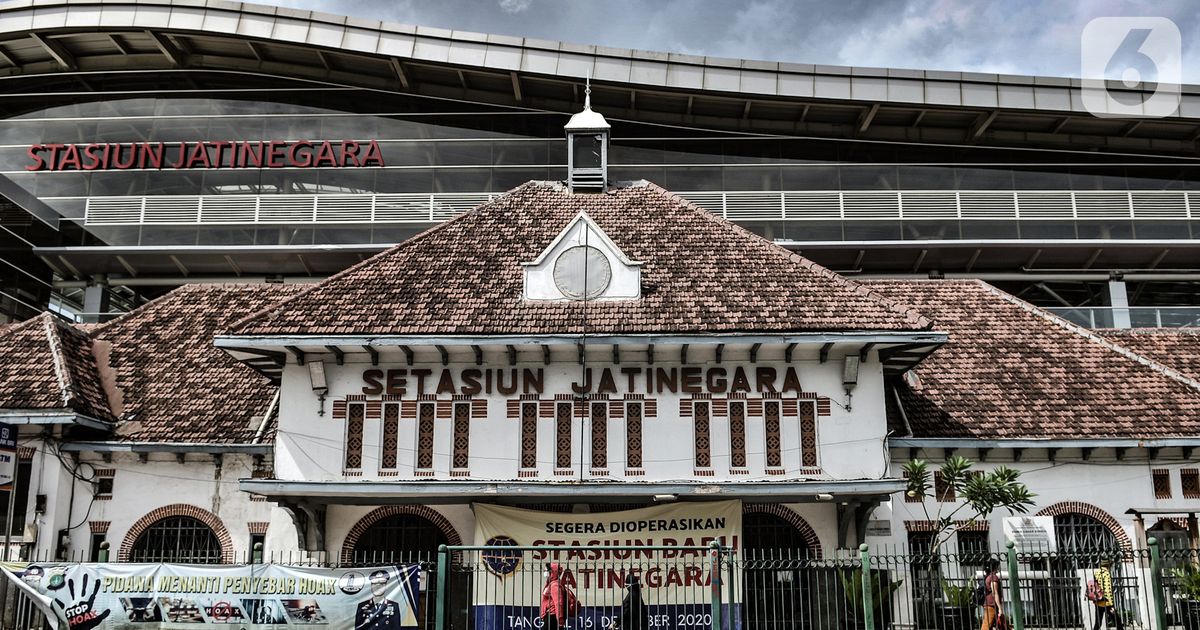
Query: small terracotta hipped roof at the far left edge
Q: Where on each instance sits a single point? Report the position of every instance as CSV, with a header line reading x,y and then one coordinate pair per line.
x,y
50,365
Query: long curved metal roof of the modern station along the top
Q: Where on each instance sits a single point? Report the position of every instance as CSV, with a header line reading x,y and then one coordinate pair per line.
x,y
52,39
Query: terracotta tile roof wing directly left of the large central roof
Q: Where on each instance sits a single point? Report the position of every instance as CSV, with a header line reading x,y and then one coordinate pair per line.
x,y
176,386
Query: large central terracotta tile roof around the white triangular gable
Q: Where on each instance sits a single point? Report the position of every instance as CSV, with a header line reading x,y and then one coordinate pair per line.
x,y
701,274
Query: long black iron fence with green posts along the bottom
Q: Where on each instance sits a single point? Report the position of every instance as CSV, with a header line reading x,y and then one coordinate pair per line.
x,y
716,589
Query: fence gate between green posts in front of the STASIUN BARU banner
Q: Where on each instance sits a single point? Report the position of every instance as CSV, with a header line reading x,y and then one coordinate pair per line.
x,y
503,587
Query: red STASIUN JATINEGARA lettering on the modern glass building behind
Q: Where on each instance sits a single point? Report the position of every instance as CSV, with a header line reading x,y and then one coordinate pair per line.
x,y
207,154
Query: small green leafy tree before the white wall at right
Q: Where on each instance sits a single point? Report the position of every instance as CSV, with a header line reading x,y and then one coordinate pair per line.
x,y
977,495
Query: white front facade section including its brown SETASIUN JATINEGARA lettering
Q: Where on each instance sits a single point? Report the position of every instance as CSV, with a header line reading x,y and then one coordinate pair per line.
x,y
313,447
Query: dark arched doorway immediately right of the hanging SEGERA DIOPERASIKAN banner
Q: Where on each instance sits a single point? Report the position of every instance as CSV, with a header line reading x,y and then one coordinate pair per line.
x,y
778,554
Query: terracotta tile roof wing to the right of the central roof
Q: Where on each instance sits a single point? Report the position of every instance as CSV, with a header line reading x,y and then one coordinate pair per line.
x,y
1015,371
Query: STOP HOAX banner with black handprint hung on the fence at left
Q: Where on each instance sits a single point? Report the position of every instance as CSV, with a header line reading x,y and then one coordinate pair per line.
x,y
152,597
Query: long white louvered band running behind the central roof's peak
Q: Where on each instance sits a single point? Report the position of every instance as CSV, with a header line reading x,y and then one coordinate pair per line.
x,y
739,206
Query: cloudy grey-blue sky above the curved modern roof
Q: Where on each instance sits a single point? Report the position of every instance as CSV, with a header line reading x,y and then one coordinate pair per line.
x,y
1015,37
